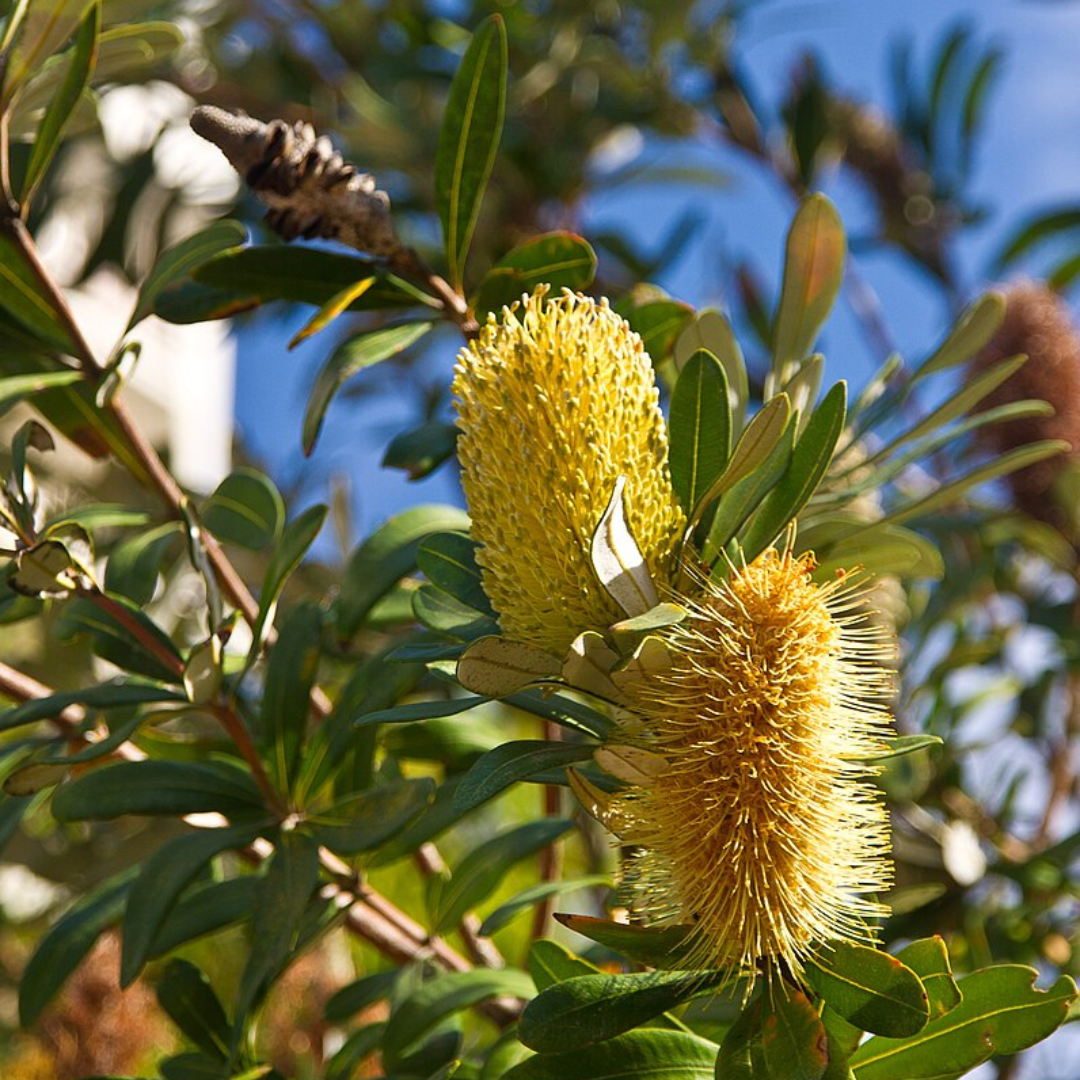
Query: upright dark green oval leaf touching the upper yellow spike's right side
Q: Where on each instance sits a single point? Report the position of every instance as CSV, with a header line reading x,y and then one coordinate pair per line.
x,y
700,429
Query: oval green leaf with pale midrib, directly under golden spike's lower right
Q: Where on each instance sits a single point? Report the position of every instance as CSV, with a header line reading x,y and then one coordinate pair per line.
x,y
870,989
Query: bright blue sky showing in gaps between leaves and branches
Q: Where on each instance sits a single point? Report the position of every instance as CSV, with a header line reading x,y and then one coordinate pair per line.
x,y
1029,159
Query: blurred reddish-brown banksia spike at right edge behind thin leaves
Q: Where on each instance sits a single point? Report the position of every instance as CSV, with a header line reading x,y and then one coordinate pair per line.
x,y
1037,323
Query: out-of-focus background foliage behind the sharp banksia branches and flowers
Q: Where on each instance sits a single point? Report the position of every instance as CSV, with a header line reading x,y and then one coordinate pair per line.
x,y
988,827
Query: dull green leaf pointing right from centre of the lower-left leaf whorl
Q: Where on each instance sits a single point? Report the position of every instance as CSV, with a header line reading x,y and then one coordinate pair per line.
x,y
366,821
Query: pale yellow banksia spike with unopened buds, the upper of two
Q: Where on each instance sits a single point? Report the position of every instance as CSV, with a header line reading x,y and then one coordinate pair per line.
x,y
556,401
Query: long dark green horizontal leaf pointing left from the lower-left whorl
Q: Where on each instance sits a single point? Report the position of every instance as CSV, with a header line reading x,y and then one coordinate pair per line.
x,y
157,789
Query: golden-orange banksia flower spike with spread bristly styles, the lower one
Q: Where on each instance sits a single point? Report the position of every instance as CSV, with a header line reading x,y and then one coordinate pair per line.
x,y
761,829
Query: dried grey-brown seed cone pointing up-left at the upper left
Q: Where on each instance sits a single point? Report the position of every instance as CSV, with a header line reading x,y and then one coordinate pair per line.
x,y
312,191
